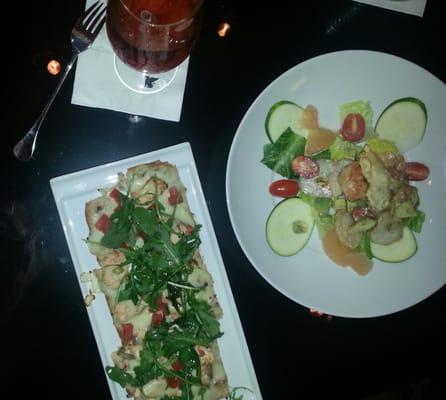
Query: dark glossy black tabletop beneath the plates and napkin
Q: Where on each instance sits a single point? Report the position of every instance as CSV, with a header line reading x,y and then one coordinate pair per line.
x,y
50,347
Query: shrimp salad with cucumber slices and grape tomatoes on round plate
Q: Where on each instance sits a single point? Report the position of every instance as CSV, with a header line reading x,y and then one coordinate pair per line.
x,y
353,183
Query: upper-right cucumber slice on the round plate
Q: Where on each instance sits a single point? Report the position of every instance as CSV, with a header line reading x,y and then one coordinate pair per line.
x,y
403,122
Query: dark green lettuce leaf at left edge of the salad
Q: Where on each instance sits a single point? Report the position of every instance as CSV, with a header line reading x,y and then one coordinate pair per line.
x,y
278,155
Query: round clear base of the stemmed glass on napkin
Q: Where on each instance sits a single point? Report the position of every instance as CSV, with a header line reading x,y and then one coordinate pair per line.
x,y
141,82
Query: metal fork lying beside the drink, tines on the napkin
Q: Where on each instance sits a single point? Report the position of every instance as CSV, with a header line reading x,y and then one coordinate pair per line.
x,y
83,35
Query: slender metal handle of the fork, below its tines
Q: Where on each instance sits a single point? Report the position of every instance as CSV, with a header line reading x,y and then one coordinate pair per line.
x,y
24,149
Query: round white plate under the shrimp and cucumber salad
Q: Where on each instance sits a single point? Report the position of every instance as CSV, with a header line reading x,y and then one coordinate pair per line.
x,y
310,278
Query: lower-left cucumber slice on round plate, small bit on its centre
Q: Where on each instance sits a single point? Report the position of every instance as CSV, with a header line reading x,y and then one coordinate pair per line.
x,y
289,226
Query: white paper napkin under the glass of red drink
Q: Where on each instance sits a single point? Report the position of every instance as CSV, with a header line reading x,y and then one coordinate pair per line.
x,y
97,85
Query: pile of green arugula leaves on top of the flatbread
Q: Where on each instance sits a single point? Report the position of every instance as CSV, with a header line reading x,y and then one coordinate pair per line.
x,y
157,265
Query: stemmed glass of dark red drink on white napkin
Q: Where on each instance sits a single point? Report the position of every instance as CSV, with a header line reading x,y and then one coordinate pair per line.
x,y
151,38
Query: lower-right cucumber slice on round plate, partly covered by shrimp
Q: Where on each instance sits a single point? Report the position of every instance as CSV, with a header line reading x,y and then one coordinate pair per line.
x,y
398,251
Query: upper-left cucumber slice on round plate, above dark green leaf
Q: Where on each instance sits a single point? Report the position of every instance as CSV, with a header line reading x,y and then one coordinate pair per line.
x,y
282,115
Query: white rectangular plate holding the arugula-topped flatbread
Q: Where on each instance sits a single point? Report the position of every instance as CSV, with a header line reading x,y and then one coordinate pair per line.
x,y
72,191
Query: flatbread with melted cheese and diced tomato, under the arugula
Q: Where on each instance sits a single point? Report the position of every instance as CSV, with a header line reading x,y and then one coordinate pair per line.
x,y
154,186
